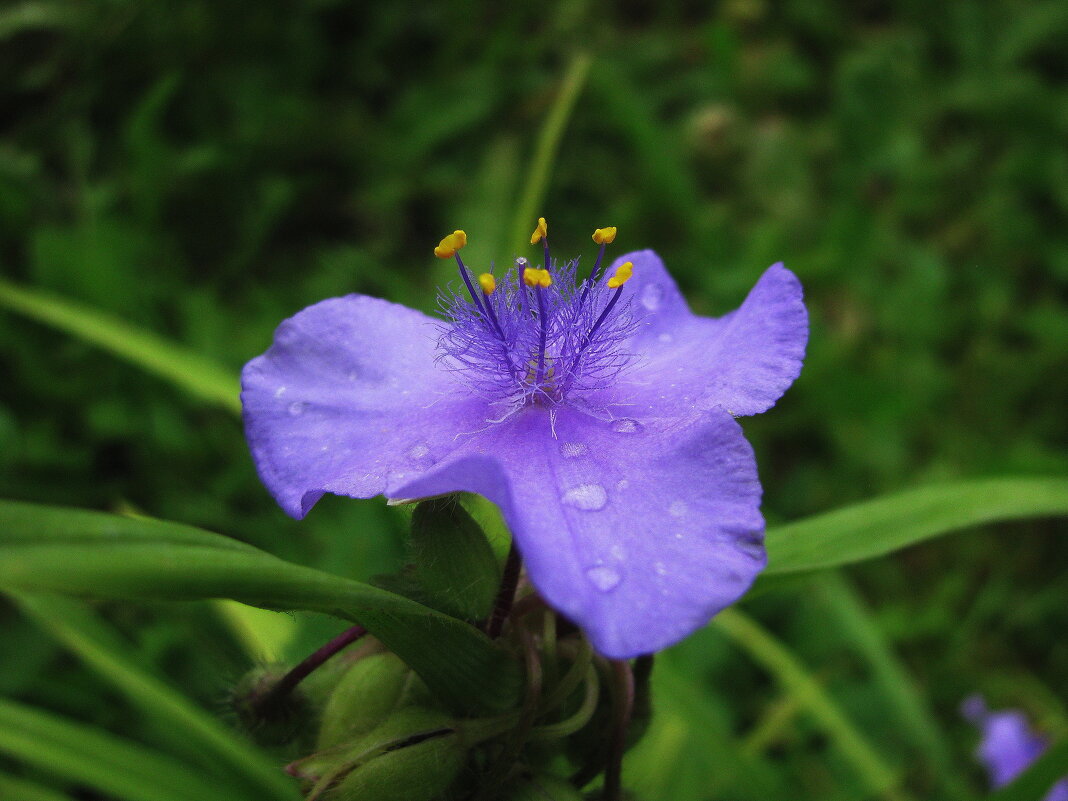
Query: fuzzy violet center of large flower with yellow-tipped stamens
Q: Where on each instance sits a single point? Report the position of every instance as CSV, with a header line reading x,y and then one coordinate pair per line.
x,y
537,335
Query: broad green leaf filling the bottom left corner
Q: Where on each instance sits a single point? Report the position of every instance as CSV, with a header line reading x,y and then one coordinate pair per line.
x,y
85,755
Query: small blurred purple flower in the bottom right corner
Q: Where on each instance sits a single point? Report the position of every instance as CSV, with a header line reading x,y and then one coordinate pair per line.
x,y
1009,746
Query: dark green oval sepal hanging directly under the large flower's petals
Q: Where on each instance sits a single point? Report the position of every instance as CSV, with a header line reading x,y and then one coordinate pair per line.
x,y
454,564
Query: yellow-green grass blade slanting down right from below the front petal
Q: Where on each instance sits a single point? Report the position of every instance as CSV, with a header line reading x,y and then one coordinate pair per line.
x,y
795,680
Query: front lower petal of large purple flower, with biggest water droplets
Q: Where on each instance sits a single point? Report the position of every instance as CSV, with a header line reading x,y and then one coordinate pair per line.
x,y
638,532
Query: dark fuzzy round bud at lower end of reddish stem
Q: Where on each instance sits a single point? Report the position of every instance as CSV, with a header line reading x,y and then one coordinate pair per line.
x,y
269,719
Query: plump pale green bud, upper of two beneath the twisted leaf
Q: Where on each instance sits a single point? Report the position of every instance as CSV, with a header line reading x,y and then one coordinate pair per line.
x,y
368,692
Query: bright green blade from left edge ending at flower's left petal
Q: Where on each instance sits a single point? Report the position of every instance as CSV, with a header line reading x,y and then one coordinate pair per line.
x,y
197,374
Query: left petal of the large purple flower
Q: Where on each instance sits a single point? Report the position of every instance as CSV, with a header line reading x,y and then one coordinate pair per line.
x,y
348,399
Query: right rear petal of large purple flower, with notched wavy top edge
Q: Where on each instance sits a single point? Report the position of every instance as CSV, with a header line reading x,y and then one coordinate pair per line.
x,y
742,363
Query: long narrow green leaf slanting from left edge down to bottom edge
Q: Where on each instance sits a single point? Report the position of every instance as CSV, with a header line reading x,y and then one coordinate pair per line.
x,y
181,721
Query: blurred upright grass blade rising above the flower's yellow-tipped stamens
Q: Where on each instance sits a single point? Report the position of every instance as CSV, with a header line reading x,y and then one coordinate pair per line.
x,y
545,151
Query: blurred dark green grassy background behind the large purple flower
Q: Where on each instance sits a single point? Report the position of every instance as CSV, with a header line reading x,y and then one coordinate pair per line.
x,y
206,169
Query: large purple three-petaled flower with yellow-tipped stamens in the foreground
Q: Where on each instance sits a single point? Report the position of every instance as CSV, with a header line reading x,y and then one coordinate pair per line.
x,y
595,411
